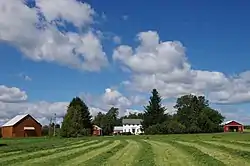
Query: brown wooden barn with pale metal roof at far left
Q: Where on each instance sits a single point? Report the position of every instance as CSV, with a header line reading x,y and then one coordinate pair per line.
x,y
22,126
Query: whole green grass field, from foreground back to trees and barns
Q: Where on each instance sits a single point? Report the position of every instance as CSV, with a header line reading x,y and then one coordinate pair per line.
x,y
183,150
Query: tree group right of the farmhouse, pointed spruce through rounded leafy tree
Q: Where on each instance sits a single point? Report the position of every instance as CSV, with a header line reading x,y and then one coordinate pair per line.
x,y
194,115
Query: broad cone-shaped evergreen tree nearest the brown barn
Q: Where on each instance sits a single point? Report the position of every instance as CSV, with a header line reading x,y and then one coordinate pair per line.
x,y
77,121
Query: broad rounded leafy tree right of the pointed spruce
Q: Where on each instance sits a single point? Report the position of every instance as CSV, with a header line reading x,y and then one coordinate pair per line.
x,y
195,114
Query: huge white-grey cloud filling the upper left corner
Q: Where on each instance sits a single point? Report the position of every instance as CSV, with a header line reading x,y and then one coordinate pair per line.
x,y
39,32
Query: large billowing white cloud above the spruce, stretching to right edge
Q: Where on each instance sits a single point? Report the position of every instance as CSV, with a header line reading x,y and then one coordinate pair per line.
x,y
164,65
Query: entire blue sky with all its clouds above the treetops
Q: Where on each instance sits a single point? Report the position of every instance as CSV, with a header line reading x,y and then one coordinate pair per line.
x,y
113,53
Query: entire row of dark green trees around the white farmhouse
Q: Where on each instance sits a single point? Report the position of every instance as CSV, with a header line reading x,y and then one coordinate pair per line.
x,y
193,115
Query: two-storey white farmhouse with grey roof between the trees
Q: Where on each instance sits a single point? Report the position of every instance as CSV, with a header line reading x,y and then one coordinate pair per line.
x,y
132,125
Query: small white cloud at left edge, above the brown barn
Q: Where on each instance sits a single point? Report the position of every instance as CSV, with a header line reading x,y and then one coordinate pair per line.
x,y
12,94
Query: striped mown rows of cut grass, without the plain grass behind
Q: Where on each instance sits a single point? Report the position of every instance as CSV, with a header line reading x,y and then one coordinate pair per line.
x,y
135,152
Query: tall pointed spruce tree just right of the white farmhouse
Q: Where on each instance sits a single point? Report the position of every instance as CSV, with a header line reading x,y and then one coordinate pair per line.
x,y
154,111
